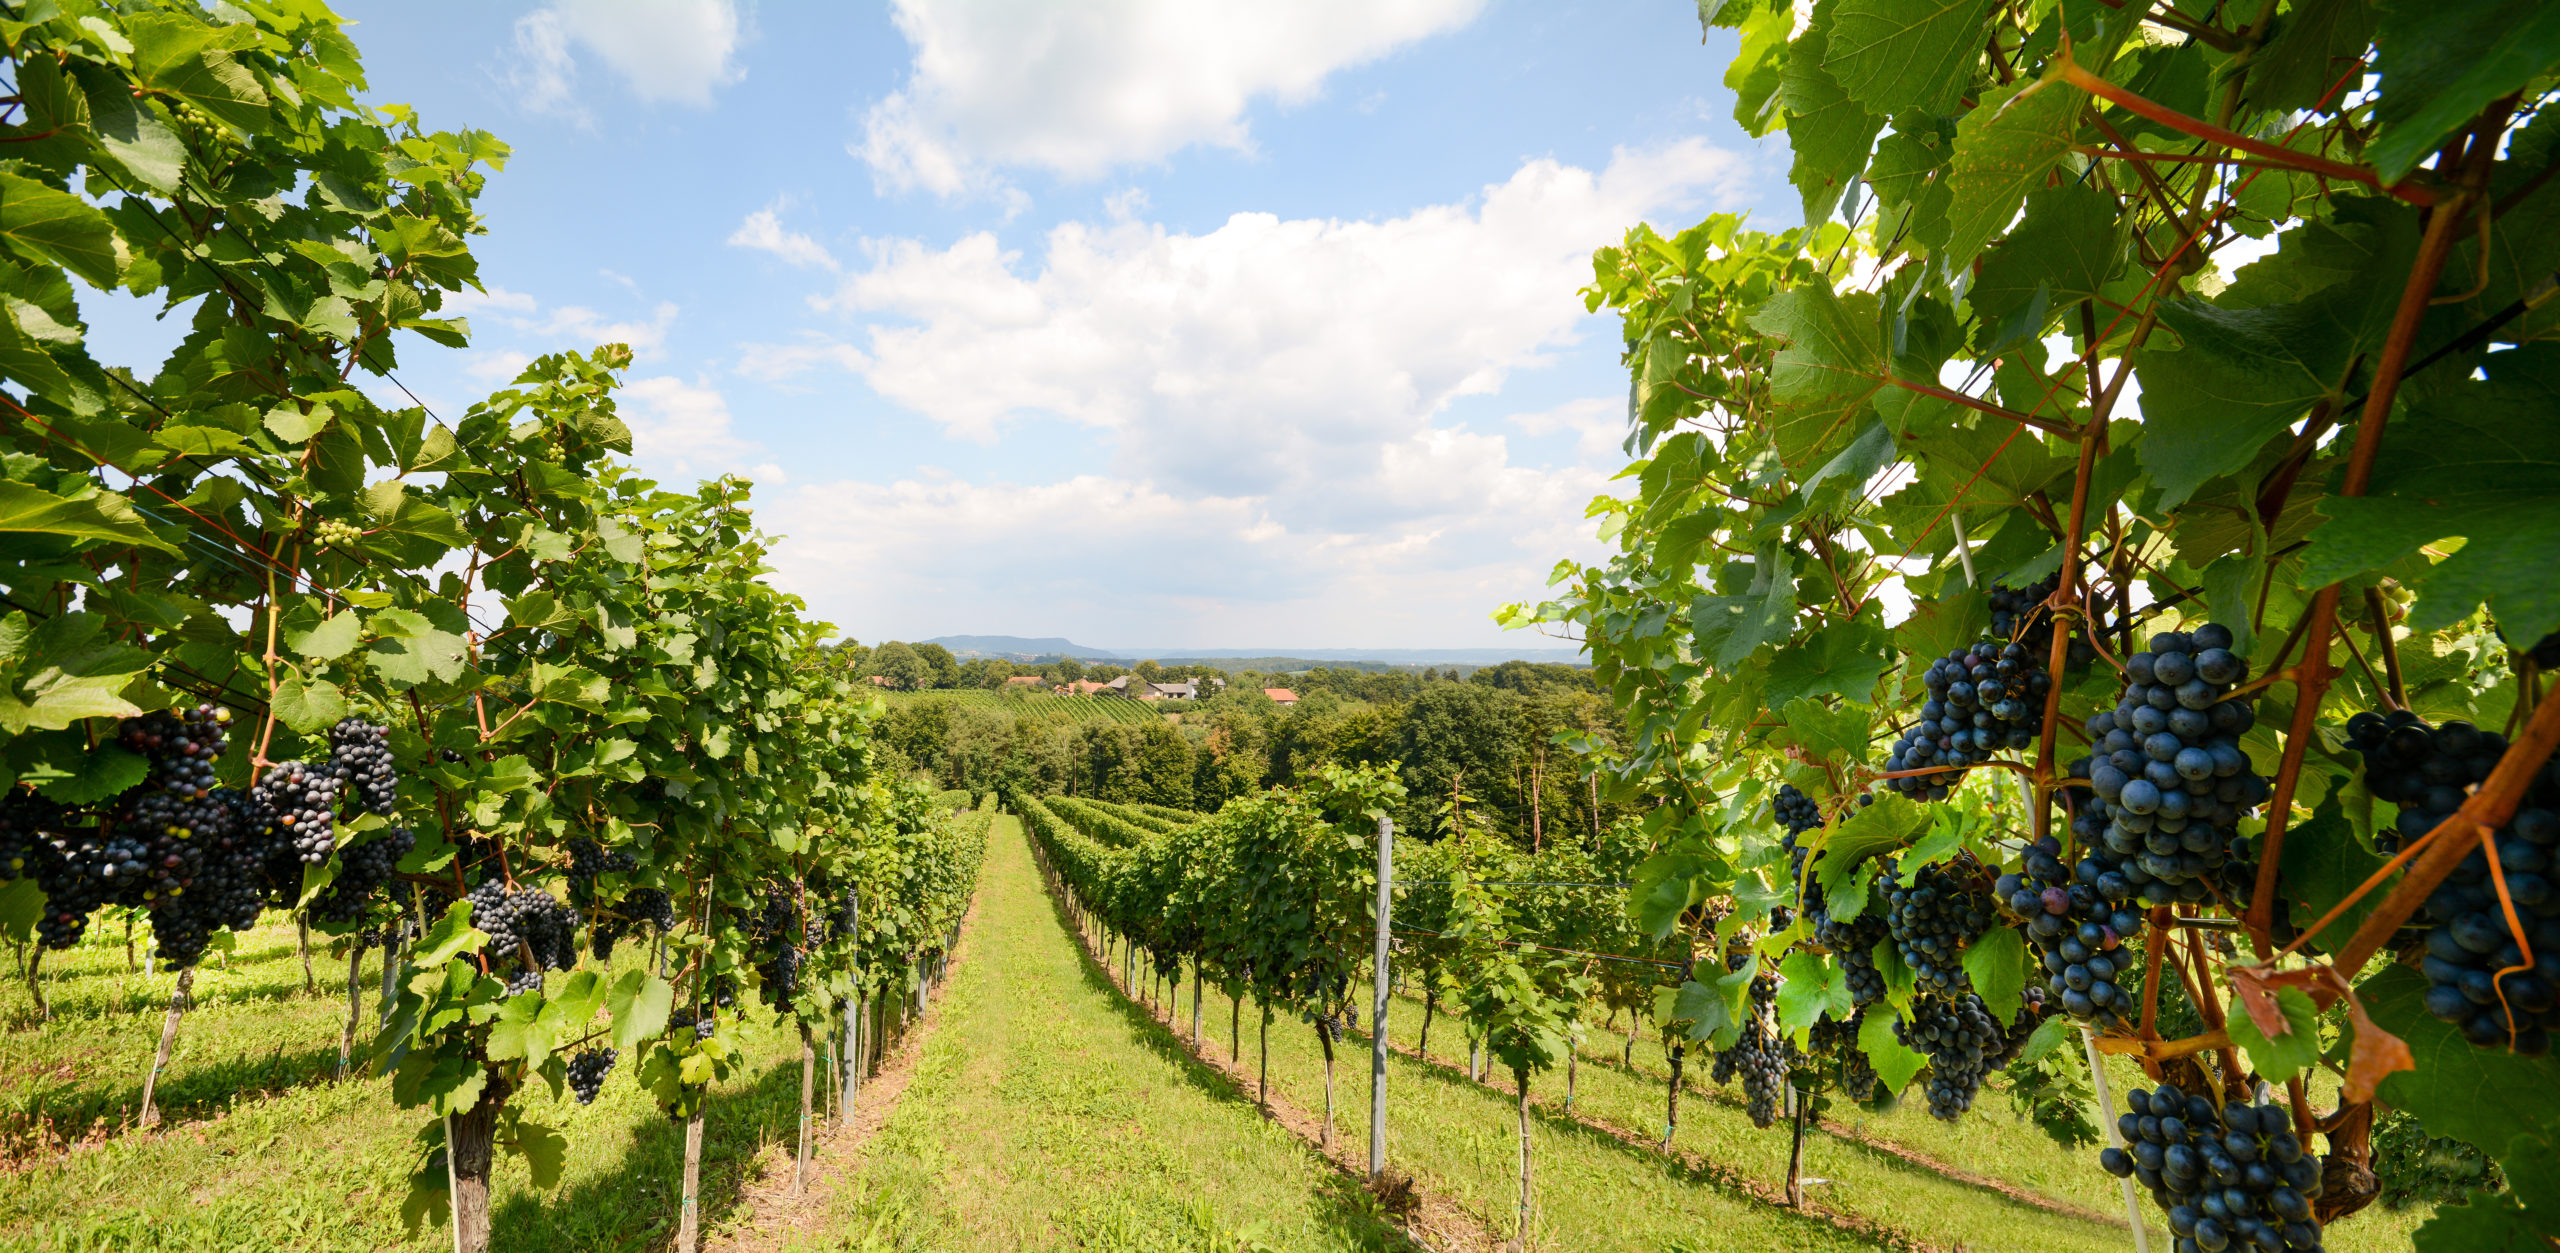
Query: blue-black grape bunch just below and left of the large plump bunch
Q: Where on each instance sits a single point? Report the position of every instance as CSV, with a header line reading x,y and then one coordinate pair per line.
x,y
2077,926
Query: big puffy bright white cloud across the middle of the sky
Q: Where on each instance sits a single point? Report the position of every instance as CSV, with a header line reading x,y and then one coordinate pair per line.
x,y
1266,352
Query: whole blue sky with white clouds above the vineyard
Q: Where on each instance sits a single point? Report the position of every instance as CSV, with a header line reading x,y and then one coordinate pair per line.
x,y
1135,322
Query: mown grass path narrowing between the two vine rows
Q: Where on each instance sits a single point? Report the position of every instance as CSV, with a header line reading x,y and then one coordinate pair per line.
x,y
1048,1113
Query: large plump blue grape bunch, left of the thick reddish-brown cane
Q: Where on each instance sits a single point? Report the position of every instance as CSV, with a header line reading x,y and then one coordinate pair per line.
x,y
2170,775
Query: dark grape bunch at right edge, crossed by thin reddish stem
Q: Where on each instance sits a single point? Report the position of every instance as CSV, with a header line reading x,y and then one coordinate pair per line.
x,y
2477,972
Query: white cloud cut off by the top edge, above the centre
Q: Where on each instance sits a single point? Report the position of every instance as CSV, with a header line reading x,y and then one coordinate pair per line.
x,y
1092,86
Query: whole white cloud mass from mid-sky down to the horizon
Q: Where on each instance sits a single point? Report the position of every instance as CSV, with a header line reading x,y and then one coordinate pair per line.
x,y
1279,409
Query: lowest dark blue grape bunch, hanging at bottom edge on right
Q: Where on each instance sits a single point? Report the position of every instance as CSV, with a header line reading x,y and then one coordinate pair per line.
x,y
2231,1177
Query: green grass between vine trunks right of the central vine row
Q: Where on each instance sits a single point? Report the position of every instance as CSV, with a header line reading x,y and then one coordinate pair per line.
x,y
1460,1139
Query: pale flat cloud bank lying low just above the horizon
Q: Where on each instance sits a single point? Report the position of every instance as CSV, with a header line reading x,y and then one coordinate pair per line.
x,y
1092,555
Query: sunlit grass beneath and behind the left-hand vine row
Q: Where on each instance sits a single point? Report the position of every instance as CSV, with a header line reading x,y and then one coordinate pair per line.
x,y
262,1152
